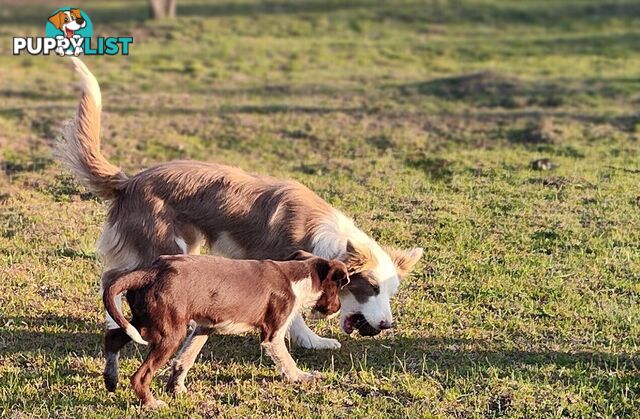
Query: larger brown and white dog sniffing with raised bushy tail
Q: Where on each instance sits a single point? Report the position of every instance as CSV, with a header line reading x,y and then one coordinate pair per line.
x,y
178,206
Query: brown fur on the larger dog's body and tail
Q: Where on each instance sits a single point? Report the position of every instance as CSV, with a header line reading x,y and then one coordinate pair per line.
x,y
237,214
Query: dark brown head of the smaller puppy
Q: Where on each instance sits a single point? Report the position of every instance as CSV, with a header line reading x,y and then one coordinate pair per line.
x,y
331,277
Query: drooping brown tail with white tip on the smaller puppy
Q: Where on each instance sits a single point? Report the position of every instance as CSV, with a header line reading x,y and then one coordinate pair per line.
x,y
118,282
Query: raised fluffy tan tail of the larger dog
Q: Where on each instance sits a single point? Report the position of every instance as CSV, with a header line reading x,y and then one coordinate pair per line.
x,y
79,146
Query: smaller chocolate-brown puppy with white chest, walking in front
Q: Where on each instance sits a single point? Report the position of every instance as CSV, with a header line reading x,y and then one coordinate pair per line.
x,y
231,296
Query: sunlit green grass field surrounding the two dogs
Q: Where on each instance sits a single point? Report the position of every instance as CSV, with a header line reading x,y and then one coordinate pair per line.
x,y
418,118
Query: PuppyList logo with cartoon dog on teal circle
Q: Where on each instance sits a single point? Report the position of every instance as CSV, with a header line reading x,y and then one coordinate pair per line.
x,y
69,31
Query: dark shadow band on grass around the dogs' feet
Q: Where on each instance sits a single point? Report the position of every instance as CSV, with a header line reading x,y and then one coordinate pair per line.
x,y
417,356
